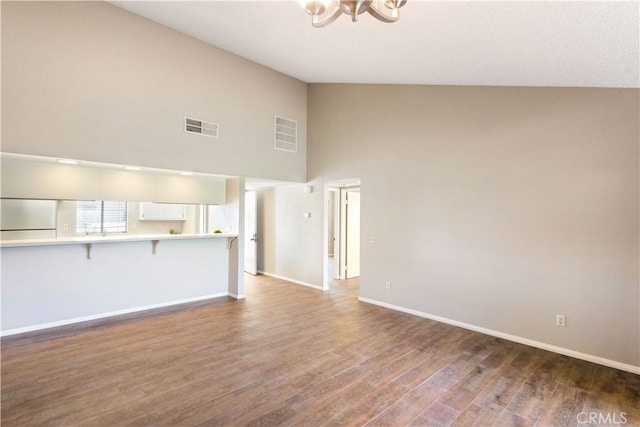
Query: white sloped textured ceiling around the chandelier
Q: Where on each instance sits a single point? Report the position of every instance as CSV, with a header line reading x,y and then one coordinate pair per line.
x,y
498,43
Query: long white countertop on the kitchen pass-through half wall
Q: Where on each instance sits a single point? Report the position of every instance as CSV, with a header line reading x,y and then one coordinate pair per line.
x,y
112,238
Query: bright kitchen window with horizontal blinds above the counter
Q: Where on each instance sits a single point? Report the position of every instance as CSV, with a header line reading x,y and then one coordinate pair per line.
x,y
99,216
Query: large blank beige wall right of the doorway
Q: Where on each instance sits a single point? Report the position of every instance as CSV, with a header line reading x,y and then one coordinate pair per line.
x,y
495,207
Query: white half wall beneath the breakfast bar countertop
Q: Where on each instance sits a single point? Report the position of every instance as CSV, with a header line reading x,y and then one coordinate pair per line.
x,y
53,282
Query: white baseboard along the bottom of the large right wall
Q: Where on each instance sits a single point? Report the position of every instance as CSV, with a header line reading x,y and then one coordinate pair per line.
x,y
544,346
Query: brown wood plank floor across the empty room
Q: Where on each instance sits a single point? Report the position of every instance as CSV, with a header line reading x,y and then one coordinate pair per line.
x,y
290,355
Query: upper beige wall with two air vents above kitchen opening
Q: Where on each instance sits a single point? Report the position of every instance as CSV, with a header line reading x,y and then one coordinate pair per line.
x,y
91,81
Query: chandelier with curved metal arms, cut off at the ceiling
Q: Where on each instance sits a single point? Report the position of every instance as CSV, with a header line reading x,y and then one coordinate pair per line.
x,y
324,12
